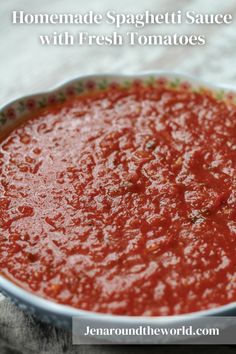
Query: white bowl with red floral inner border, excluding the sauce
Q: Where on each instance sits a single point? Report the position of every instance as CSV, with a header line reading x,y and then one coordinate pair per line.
x,y
14,112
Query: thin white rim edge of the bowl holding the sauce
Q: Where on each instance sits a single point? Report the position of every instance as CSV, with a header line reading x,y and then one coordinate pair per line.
x,y
49,306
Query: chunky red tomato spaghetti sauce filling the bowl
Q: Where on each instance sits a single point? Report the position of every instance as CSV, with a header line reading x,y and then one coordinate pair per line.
x,y
123,202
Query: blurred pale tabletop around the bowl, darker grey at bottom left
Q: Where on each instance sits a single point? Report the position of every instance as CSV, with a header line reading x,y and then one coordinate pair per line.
x,y
27,67
